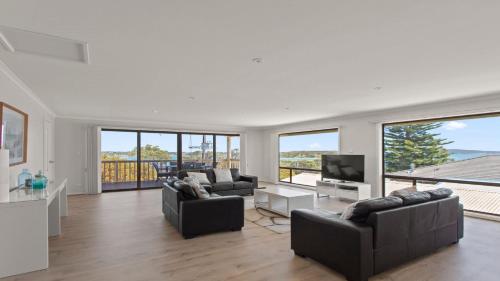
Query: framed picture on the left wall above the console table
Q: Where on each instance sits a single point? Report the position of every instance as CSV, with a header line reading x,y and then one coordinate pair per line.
x,y
14,133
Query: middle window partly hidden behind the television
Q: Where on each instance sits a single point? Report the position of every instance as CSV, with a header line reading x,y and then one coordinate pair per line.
x,y
300,155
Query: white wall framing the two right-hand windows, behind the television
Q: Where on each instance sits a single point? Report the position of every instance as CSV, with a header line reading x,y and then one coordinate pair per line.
x,y
361,134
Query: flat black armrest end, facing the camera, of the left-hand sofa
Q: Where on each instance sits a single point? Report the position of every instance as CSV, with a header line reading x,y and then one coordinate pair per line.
x,y
211,215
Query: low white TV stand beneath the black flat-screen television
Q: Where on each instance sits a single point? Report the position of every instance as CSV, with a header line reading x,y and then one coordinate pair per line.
x,y
352,191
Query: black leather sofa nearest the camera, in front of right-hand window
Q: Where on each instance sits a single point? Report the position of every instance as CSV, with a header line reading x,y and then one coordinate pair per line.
x,y
386,239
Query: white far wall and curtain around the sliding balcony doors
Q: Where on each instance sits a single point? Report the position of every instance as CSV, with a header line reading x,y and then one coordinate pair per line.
x,y
74,145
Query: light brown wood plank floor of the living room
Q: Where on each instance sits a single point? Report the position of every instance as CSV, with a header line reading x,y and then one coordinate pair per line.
x,y
123,236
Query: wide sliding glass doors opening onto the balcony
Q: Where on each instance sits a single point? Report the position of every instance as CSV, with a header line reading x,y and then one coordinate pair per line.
x,y
124,167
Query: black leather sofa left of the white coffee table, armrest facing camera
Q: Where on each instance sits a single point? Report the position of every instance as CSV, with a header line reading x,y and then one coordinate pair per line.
x,y
192,217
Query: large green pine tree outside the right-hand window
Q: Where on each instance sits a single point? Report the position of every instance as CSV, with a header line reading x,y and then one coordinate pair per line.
x,y
415,144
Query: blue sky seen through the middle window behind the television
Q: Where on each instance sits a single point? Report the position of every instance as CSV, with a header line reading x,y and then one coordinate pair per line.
x,y
323,141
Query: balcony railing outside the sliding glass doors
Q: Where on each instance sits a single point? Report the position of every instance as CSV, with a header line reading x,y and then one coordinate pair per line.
x,y
125,171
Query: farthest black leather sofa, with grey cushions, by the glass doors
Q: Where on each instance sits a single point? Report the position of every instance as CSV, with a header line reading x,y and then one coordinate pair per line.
x,y
241,185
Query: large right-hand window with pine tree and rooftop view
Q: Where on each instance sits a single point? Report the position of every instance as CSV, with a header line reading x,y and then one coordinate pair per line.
x,y
461,153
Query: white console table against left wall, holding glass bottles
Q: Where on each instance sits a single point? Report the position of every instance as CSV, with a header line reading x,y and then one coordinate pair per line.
x,y
26,222
